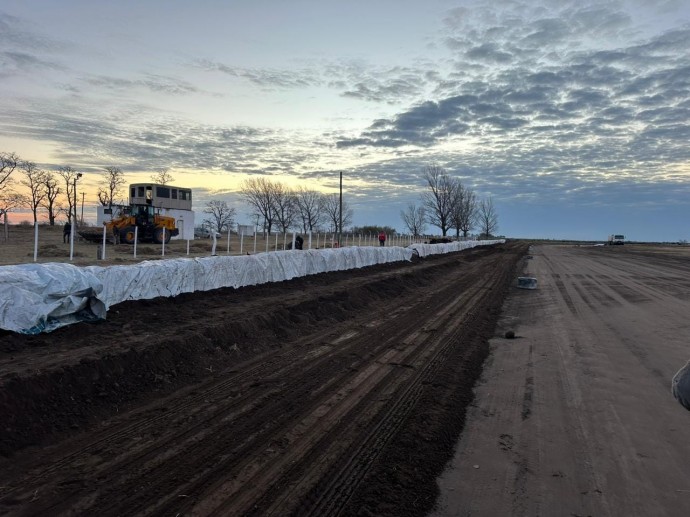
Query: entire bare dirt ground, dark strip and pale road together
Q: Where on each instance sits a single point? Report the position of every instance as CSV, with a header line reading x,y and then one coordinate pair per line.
x,y
353,393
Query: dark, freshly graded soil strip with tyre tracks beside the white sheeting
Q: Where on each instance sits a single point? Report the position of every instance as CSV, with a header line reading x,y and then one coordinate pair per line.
x,y
334,394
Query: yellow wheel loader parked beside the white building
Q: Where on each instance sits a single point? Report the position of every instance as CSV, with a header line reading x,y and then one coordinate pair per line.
x,y
150,226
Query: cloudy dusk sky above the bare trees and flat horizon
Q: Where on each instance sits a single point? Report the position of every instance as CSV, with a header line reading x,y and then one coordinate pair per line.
x,y
573,117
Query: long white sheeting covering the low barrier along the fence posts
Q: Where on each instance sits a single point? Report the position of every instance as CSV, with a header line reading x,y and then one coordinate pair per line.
x,y
42,297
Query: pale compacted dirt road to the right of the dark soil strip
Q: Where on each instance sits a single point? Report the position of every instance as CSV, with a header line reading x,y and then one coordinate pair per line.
x,y
575,417
